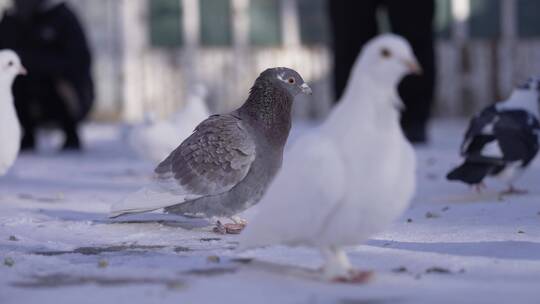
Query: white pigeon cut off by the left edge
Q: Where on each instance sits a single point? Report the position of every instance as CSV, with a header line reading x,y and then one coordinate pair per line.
x,y
10,129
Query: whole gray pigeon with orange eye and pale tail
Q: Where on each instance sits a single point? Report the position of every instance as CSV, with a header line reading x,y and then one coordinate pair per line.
x,y
225,166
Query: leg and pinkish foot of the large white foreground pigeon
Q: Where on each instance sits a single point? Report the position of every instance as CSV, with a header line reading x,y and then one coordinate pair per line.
x,y
338,268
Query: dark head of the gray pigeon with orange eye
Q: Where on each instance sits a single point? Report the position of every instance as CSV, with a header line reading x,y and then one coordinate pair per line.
x,y
287,79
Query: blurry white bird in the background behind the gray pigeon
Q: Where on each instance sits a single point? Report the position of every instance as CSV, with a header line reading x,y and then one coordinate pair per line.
x,y
155,139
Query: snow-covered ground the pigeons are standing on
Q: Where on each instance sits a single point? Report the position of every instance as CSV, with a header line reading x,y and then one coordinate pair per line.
x,y
57,245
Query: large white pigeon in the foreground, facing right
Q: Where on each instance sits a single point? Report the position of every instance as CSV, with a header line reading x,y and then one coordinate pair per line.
x,y
352,176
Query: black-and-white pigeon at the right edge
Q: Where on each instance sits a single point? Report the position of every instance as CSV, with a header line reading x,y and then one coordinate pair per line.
x,y
503,139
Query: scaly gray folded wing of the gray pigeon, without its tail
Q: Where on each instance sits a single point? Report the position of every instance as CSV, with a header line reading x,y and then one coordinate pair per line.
x,y
213,159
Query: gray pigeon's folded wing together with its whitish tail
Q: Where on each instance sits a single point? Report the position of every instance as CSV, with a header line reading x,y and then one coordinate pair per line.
x,y
211,161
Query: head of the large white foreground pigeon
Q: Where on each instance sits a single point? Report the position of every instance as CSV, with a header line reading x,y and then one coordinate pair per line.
x,y
387,59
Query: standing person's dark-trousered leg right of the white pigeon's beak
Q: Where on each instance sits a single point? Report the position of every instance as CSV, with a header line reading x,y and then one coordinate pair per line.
x,y
415,23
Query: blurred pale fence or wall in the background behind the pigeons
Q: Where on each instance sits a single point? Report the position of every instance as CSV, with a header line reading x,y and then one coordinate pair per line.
x,y
149,54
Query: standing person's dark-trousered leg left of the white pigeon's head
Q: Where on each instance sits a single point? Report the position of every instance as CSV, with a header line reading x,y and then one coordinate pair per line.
x,y
353,23
